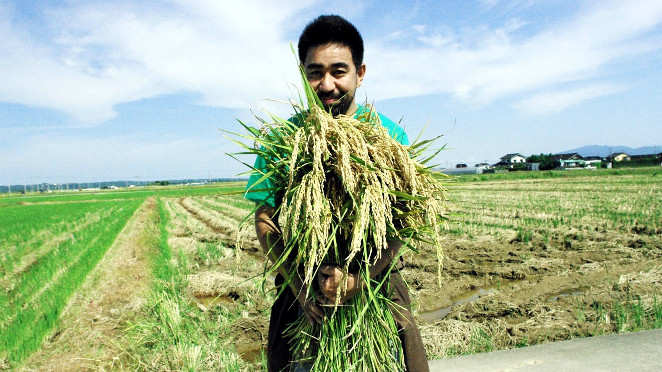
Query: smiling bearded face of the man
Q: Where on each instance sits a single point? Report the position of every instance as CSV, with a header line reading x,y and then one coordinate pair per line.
x,y
331,72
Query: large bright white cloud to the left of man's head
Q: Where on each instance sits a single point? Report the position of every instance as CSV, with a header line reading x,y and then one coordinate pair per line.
x,y
104,54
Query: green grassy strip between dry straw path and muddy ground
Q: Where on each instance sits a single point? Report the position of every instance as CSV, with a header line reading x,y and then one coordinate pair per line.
x,y
173,333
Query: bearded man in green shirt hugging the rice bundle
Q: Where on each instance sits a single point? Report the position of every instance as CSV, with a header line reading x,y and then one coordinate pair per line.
x,y
331,52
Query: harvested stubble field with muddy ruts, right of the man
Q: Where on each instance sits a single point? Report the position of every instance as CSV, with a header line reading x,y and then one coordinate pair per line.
x,y
532,261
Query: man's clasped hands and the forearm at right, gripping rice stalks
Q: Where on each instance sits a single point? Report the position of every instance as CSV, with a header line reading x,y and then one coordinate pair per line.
x,y
330,278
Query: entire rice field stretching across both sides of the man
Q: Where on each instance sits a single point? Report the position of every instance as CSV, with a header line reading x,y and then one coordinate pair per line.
x,y
167,278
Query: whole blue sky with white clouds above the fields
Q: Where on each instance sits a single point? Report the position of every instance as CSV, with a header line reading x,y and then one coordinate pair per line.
x,y
124,90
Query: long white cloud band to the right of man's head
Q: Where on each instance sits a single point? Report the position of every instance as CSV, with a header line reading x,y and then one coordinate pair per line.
x,y
483,65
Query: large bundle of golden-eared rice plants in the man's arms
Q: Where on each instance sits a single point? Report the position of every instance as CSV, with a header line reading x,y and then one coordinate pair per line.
x,y
347,188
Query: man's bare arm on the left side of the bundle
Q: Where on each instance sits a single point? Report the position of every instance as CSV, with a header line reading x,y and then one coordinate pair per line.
x,y
268,233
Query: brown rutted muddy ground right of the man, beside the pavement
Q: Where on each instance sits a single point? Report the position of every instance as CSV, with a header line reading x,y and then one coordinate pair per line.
x,y
502,294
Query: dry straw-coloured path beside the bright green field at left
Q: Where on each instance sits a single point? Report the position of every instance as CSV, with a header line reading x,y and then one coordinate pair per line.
x,y
89,335
